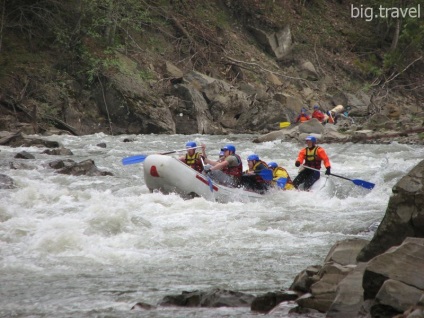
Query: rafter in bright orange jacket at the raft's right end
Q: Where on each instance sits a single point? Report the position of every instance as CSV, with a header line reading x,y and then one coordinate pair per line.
x,y
311,156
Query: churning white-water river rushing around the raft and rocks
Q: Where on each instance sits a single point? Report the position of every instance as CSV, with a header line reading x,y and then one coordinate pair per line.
x,y
94,246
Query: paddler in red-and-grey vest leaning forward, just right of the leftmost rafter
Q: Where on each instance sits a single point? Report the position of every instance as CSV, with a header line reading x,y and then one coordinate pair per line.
x,y
228,170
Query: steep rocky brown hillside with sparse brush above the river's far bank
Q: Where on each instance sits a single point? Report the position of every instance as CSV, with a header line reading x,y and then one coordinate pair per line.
x,y
115,66
